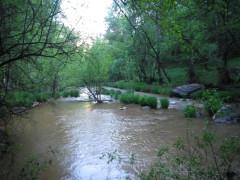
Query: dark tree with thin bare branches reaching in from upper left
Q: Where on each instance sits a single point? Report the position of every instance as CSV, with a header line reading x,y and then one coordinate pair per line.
x,y
31,29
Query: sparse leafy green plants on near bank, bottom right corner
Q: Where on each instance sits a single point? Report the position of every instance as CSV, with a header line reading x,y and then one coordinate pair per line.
x,y
200,159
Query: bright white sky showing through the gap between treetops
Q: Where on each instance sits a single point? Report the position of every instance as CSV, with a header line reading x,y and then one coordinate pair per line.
x,y
86,16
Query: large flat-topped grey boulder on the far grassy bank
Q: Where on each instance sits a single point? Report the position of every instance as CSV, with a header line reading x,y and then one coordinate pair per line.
x,y
186,90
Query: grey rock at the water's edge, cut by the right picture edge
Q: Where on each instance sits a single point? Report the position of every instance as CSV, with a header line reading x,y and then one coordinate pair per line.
x,y
227,114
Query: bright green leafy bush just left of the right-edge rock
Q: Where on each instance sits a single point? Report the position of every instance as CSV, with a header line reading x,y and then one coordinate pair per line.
x,y
212,101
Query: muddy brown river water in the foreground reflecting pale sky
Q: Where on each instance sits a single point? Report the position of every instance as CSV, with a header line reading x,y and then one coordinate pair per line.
x,y
99,141
